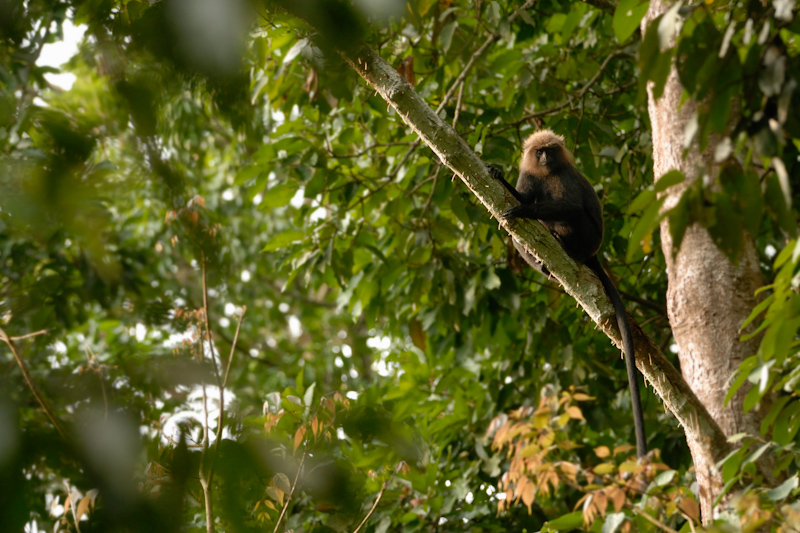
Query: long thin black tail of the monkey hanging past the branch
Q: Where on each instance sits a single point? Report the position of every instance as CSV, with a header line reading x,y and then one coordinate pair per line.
x,y
627,345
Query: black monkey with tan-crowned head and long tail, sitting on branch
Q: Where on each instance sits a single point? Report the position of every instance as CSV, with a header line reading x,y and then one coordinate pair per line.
x,y
551,190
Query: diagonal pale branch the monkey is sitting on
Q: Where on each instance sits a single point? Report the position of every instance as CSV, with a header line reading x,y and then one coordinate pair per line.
x,y
576,279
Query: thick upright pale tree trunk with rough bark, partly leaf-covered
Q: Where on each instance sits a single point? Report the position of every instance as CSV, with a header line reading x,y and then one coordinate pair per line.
x,y
708,297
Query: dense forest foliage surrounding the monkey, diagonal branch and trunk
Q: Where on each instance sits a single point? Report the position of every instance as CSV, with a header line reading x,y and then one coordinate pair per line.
x,y
395,363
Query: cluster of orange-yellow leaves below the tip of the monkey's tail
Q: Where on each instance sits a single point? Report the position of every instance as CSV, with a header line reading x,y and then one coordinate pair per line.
x,y
548,467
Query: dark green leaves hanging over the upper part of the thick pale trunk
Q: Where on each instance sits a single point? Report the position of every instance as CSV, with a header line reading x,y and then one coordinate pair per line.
x,y
740,63
